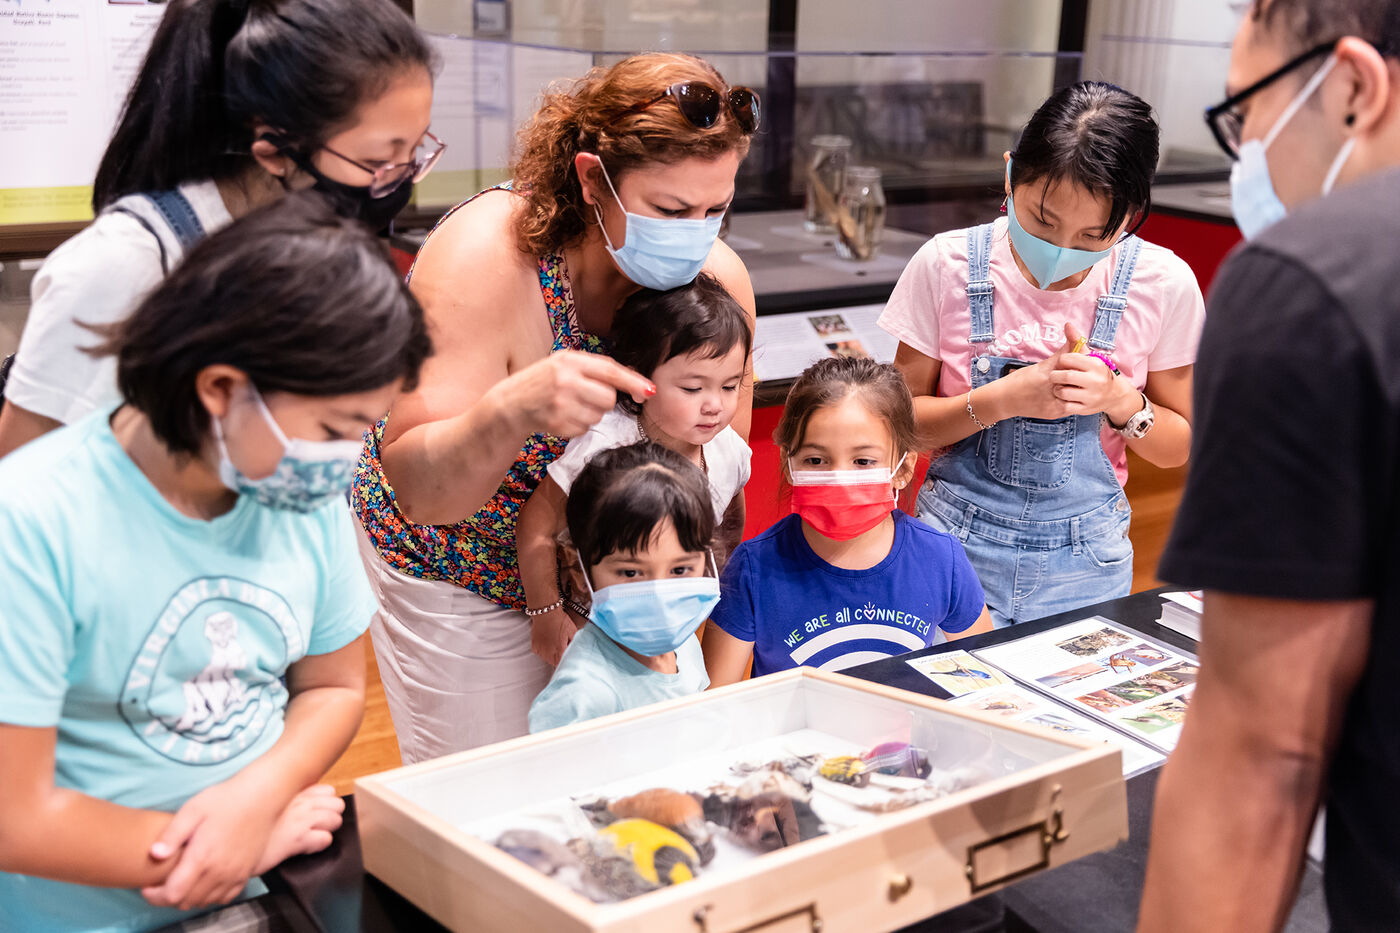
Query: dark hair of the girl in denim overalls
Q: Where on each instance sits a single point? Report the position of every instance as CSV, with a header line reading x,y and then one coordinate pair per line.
x,y
1098,137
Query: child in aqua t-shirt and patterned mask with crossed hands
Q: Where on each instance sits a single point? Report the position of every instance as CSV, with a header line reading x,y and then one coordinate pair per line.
x,y
183,611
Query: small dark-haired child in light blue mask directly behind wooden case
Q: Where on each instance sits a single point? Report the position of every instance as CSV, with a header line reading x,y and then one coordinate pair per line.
x,y
642,527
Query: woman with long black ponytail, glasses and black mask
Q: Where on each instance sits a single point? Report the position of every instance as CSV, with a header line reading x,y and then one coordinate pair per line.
x,y
237,103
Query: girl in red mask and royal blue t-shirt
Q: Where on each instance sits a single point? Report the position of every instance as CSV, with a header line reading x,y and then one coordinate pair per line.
x,y
848,578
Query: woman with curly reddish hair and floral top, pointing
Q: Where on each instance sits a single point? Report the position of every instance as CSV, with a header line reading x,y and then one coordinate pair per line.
x,y
621,183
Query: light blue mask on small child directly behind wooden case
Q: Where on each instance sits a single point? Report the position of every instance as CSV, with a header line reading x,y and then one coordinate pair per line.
x,y
653,617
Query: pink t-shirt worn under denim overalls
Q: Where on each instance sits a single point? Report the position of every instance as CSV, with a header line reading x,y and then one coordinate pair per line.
x,y
929,312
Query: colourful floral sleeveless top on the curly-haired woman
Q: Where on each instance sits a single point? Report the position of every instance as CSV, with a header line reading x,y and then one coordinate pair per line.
x,y
478,554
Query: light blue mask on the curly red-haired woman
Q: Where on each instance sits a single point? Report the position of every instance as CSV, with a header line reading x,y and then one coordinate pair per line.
x,y
657,253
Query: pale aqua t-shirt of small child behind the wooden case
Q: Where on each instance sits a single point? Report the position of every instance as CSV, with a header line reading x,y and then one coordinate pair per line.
x,y
596,677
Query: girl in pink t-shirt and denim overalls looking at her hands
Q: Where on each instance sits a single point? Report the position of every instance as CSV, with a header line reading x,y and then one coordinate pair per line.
x,y
1041,348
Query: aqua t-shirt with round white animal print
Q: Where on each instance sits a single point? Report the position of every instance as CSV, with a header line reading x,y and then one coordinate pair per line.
x,y
155,642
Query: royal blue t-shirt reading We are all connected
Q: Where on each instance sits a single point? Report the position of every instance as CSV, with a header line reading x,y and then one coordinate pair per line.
x,y
799,610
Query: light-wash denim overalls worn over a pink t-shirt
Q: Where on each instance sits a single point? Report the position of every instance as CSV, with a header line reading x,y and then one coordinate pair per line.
x,y
1035,504
